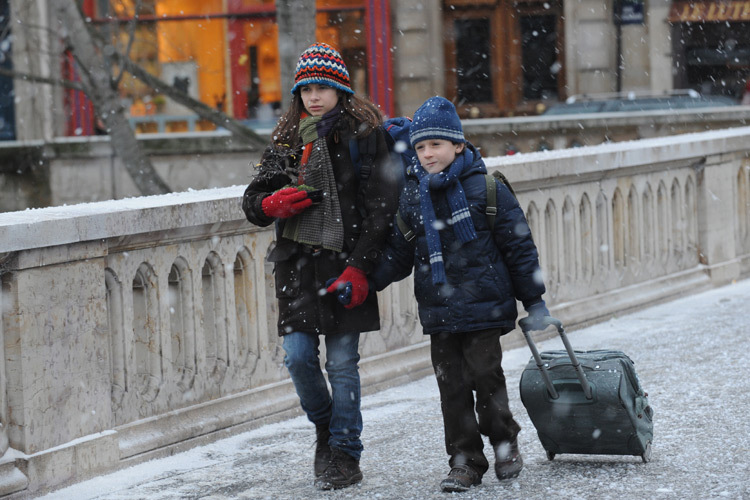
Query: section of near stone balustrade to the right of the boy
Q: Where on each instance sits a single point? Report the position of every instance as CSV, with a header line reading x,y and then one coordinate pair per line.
x,y
641,216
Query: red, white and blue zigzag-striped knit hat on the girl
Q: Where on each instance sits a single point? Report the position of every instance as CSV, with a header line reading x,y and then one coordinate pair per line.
x,y
322,64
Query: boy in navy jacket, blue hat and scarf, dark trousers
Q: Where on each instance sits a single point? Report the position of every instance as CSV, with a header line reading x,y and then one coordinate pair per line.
x,y
467,277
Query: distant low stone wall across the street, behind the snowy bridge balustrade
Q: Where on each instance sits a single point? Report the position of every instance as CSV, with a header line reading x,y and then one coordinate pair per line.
x,y
74,170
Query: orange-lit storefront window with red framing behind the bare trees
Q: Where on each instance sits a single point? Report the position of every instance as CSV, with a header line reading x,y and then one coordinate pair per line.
x,y
221,52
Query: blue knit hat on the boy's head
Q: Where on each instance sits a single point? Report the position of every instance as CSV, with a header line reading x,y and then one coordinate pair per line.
x,y
436,119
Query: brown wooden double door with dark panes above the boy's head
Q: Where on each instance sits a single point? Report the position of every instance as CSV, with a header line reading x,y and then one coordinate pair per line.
x,y
502,57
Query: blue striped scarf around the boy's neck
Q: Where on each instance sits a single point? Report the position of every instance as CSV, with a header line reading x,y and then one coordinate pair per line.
x,y
463,227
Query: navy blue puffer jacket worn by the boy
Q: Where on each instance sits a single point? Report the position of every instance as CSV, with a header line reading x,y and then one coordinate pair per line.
x,y
484,276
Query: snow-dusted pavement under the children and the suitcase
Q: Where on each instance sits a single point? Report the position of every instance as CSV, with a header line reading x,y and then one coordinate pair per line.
x,y
690,357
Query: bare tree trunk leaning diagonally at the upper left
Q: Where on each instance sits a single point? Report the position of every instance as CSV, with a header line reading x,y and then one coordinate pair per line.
x,y
97,77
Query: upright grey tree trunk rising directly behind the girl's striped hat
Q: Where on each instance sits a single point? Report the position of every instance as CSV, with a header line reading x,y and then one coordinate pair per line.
x,y
296,20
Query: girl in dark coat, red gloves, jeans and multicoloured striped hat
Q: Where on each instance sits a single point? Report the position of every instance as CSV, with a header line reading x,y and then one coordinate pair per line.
x,y
331,226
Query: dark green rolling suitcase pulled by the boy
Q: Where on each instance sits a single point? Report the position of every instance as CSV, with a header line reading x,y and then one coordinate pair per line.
x,y
586,402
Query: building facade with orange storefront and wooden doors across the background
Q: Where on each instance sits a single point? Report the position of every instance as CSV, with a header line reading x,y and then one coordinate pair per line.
x,y
491,57
